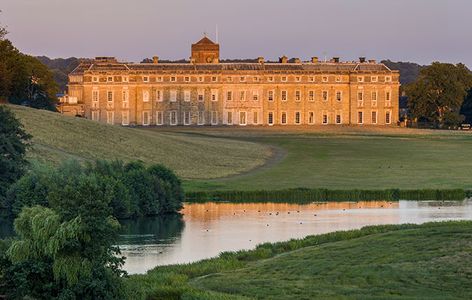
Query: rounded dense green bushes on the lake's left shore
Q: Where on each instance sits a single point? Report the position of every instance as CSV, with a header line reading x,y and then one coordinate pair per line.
x,y
132,189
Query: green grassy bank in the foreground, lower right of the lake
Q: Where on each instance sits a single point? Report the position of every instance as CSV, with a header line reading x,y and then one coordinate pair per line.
x,y
429,261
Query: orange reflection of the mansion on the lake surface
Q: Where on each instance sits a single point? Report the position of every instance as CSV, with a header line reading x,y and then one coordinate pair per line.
x,y
213,211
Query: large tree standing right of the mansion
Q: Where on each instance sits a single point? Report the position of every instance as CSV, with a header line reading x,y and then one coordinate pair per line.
x,y
438,93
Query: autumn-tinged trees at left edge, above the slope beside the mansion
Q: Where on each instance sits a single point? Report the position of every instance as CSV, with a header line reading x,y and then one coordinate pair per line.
x,y
24,79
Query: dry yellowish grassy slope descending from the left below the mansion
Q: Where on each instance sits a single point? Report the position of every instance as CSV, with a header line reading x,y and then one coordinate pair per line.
x,y
56,138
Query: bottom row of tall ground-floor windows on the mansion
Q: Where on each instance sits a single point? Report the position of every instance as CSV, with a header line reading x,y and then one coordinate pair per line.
x,y
238,119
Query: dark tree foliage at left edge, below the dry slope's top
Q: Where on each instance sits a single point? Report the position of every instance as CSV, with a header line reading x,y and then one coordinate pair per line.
x,y
13,144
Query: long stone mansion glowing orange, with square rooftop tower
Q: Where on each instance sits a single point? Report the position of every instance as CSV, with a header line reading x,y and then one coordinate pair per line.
x,y
205,91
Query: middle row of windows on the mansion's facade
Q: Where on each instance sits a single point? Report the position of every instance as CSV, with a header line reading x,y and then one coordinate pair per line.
x,y
241,95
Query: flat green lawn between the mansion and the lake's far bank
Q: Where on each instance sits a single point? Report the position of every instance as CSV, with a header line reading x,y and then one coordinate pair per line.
x,y
364,159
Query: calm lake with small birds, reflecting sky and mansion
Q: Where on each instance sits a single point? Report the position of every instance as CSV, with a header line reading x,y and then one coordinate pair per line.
x,y
205,230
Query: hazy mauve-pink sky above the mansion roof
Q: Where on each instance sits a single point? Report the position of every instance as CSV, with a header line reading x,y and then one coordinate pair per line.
x,y
409,30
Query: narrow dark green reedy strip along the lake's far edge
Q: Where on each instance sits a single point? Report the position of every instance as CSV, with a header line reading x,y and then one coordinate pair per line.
x,y
303,195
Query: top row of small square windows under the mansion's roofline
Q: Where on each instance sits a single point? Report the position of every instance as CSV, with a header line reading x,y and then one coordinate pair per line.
x,y
374,79
